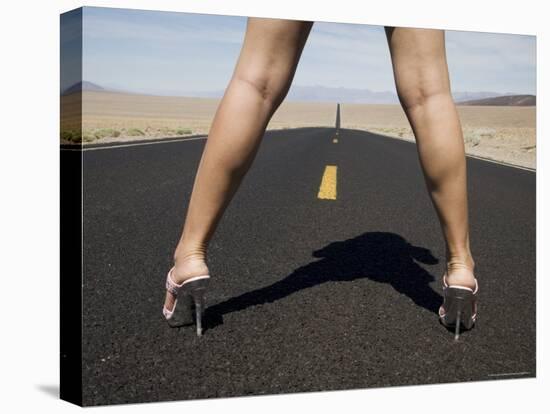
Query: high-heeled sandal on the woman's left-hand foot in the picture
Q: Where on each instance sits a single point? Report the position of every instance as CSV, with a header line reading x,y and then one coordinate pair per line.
x,y
193,293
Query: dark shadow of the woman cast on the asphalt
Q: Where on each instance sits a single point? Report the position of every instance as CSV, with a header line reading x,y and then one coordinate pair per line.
x,y
378,256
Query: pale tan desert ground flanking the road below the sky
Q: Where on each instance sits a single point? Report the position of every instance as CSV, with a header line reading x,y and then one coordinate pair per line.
x,y
503,133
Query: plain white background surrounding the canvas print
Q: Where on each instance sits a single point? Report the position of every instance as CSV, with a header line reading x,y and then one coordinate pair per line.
x,y
29,226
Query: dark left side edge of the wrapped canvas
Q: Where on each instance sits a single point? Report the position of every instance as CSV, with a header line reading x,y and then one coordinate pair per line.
x,y
71,226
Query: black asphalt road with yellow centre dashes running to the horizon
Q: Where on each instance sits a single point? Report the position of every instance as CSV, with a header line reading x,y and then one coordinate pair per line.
x,y
307,294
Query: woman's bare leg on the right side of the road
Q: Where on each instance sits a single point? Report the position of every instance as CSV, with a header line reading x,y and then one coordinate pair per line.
x,y
422,81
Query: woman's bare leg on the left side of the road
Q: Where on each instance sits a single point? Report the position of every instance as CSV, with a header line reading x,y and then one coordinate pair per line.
x,y
260,81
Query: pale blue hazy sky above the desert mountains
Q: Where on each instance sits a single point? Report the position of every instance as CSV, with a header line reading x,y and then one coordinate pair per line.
x,y
175,53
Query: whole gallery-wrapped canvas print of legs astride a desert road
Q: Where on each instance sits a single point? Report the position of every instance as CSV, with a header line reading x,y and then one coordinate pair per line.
x,y
256,206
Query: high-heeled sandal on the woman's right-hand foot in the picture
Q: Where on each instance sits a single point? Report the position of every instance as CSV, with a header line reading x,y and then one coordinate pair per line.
x,y
459,307
